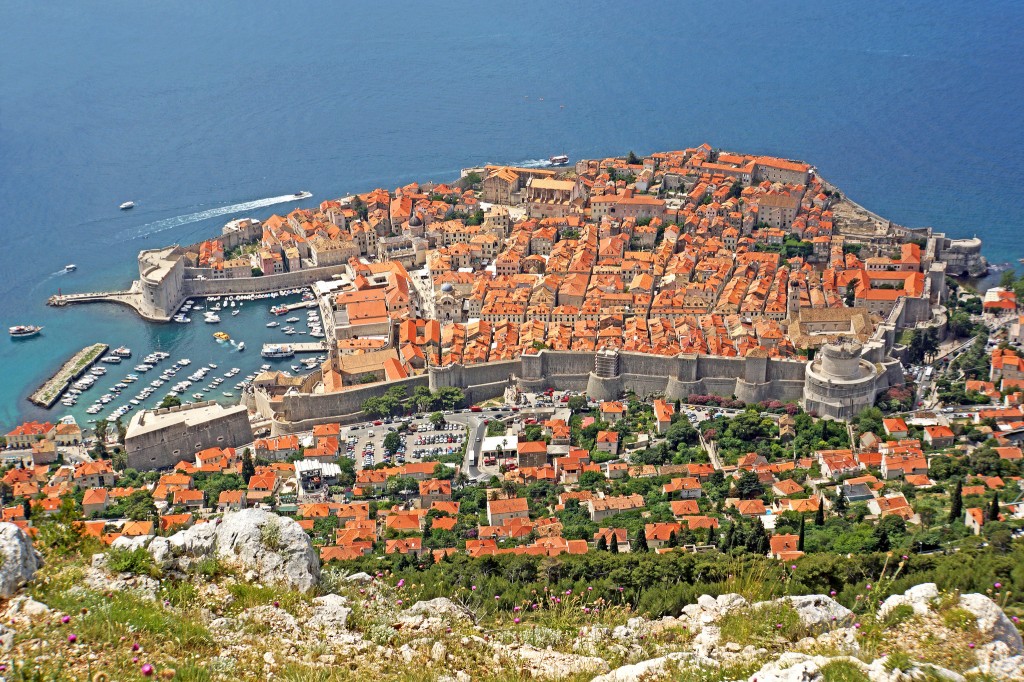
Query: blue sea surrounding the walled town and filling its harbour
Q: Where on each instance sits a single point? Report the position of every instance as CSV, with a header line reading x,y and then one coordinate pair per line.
x,y
191,108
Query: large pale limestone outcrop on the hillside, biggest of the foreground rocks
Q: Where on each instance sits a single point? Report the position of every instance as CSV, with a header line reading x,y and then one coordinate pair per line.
x,y
266,547
